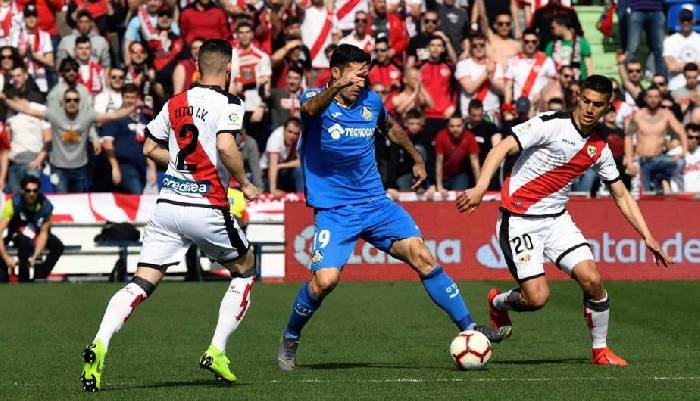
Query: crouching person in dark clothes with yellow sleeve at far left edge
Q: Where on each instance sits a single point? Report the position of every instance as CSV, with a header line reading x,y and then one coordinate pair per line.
x,y
27,218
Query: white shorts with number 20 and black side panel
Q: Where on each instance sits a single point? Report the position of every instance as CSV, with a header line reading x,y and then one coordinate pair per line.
x,y
525,241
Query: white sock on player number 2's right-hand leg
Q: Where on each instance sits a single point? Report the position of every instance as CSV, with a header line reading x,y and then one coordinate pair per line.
x,y
233,308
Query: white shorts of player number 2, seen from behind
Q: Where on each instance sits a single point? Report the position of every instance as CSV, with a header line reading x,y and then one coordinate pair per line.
x,y
173,228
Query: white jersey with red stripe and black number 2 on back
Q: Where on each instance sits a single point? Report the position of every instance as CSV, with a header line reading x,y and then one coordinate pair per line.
x,y
188,125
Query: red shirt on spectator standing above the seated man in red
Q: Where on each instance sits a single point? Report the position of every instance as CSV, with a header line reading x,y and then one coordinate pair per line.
x,y
437,80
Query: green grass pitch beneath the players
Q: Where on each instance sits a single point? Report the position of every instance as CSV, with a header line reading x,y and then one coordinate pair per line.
x,y
383,341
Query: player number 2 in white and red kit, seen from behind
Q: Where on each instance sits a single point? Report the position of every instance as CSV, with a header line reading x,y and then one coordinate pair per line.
x,y
194,136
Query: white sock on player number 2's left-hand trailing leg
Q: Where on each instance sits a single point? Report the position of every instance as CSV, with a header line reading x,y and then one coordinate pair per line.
x,y
118,311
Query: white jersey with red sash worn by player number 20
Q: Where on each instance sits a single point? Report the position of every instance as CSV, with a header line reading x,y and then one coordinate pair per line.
x,y
554,152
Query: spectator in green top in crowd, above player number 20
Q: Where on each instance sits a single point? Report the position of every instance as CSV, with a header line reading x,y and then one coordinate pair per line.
x,y
567,48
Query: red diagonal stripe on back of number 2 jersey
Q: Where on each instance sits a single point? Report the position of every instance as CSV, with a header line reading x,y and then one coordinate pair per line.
x,y
205,170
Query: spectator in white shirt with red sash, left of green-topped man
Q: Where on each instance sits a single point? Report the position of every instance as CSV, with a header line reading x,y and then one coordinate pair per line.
x,y
529,72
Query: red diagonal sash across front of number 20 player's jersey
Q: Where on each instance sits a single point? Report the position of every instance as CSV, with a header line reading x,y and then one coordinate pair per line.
x,y
552,180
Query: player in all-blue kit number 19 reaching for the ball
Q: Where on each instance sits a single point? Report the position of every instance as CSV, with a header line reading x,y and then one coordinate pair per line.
x,y
344,188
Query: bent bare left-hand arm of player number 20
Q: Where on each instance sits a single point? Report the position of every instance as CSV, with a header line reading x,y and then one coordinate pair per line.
x,y
470,199
